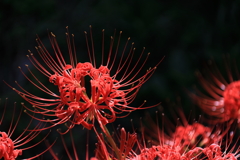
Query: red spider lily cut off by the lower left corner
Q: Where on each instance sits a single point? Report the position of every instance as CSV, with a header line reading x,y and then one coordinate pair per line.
x,y
10,148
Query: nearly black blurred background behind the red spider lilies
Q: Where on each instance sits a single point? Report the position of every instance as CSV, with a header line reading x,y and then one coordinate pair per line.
x,y
187,33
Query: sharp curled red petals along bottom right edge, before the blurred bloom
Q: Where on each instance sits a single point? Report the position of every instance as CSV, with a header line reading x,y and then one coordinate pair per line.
x,y
213,151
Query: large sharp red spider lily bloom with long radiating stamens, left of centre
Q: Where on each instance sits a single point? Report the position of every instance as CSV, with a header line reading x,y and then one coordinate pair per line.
x,y
111,93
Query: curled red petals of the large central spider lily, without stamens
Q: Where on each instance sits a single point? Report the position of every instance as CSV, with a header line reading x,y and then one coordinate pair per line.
x,y
81,107
